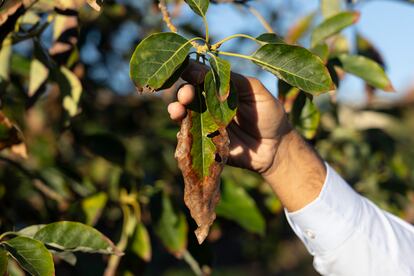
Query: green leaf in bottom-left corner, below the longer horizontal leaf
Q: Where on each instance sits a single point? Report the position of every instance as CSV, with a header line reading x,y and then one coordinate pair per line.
x,y
31,255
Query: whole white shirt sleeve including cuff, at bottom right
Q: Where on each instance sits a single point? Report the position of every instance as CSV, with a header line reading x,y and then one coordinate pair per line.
x,y
348,235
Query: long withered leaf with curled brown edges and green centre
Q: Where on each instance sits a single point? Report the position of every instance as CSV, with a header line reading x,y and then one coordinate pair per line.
x,y
202,151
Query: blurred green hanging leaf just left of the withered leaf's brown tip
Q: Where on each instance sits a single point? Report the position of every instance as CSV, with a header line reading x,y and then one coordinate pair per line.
x,y
172,228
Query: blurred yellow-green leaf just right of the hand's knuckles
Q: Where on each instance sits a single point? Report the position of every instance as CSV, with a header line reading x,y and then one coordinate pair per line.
x,y
305,116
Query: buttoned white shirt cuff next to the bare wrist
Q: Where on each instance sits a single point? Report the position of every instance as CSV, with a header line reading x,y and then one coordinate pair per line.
x,y
327,222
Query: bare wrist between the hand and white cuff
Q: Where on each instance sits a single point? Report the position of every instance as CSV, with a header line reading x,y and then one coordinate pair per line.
x,y
297,174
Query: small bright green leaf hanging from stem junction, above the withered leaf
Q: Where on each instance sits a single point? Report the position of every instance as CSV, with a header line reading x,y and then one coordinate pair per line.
x,y
222,72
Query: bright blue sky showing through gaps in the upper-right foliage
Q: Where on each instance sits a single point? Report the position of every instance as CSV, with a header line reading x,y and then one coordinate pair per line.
x,y
389,25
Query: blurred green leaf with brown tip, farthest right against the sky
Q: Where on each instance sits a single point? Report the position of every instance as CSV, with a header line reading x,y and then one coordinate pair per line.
x,y
366,69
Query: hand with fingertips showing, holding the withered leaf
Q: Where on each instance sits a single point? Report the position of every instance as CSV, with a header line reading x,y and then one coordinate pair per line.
x,y
258,128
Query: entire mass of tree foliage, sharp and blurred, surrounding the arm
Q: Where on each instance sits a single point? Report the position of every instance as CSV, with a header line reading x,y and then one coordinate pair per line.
x,y
71,150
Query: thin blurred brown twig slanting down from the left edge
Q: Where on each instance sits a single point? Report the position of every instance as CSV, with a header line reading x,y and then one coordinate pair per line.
x,y
39,183
